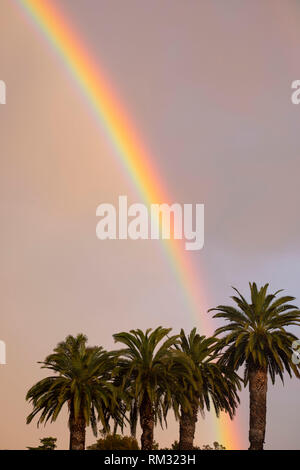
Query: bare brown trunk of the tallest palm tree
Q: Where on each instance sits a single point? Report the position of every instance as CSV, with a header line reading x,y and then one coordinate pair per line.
x,y
258,383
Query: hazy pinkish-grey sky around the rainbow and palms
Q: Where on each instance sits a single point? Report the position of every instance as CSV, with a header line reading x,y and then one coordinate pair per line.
x,y
208,86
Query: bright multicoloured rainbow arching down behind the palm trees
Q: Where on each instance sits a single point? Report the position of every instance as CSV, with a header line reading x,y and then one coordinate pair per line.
x,y
130,152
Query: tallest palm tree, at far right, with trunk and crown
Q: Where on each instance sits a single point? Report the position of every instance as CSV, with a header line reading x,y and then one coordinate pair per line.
x,y
256,337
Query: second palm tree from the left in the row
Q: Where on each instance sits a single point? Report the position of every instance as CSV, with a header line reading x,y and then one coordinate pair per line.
x,y
146,367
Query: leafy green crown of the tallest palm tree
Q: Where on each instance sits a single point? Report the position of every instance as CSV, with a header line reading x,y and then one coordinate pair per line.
x,y
256,334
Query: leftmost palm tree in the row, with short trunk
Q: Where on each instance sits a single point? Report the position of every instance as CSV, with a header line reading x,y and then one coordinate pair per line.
x,y
82,381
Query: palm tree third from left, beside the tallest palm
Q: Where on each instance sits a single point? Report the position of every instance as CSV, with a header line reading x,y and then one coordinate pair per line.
x,y
211,384
